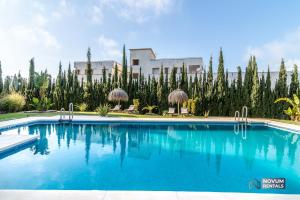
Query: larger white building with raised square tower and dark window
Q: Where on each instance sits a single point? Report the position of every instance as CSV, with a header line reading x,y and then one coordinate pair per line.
x,y
145,58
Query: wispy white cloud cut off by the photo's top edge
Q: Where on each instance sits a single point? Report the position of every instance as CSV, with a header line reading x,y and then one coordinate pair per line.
x,y
138,11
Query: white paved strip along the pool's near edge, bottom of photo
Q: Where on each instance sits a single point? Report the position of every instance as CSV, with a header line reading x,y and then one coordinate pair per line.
x,y
135,195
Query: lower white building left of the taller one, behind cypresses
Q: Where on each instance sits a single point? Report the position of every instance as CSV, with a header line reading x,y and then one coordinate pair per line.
x,y
97,69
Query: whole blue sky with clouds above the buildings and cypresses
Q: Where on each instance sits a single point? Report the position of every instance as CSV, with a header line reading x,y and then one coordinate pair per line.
x,y
54,30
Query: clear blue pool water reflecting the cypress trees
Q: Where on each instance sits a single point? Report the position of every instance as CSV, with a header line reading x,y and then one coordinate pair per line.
x,y
152,156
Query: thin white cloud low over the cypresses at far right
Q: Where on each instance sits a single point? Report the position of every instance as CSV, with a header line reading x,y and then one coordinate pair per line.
x,y
287,47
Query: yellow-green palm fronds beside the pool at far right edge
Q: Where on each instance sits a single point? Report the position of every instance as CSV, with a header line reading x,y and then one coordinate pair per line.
x,y
294,110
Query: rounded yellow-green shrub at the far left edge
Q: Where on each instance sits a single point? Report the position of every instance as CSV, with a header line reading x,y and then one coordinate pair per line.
x,y
13,102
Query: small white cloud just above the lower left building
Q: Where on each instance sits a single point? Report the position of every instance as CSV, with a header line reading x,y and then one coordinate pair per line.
x,y
109,48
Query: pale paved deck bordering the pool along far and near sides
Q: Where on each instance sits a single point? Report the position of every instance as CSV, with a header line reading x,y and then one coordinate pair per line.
x,y
131,195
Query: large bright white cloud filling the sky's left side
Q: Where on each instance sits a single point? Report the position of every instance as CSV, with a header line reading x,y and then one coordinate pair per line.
x,y
24,36
